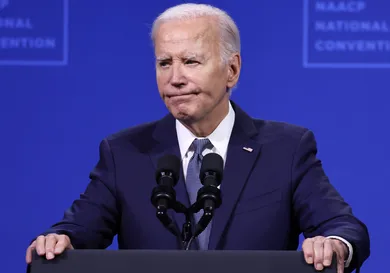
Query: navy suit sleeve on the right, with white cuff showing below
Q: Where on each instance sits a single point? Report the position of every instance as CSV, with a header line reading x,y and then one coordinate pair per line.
x,y
319,208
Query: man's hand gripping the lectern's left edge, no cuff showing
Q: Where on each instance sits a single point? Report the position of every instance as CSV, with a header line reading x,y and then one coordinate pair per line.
x,y
49,245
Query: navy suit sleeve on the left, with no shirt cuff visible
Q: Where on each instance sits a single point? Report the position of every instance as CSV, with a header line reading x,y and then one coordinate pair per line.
x,y
92,220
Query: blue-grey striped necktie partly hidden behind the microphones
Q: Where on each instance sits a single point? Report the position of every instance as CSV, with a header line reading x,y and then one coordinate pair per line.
x,y
193,183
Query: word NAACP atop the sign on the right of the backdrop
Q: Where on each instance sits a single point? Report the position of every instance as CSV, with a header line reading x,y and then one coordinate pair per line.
x,y
342,6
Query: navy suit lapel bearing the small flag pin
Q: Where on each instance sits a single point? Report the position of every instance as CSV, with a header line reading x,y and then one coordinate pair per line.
x,y
238,167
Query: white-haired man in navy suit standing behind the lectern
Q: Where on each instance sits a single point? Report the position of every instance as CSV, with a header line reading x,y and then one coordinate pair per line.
x,y
274,187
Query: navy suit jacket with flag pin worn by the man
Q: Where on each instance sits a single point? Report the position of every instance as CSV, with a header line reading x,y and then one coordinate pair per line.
x,y
270,195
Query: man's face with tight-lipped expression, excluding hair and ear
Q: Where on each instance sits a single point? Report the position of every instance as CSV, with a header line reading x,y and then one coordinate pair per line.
x,y
191,78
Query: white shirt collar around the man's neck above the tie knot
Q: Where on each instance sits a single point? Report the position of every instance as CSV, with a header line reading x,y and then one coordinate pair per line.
x,y
219,137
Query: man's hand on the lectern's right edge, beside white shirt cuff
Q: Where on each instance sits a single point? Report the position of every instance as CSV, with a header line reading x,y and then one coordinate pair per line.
x,y
319,250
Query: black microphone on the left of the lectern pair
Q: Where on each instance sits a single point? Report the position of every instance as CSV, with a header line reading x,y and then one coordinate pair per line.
x,y
164,196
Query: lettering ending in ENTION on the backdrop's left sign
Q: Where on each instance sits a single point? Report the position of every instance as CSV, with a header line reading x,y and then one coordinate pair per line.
x,y
27,42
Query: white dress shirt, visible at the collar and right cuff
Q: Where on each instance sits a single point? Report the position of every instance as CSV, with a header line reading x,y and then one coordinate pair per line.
x,y
219,138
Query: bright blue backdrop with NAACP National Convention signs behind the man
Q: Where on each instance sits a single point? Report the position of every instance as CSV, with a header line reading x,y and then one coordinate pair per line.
x,y
73,72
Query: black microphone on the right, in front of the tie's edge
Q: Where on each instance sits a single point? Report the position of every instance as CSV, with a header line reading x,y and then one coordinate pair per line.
x,y
209,196
